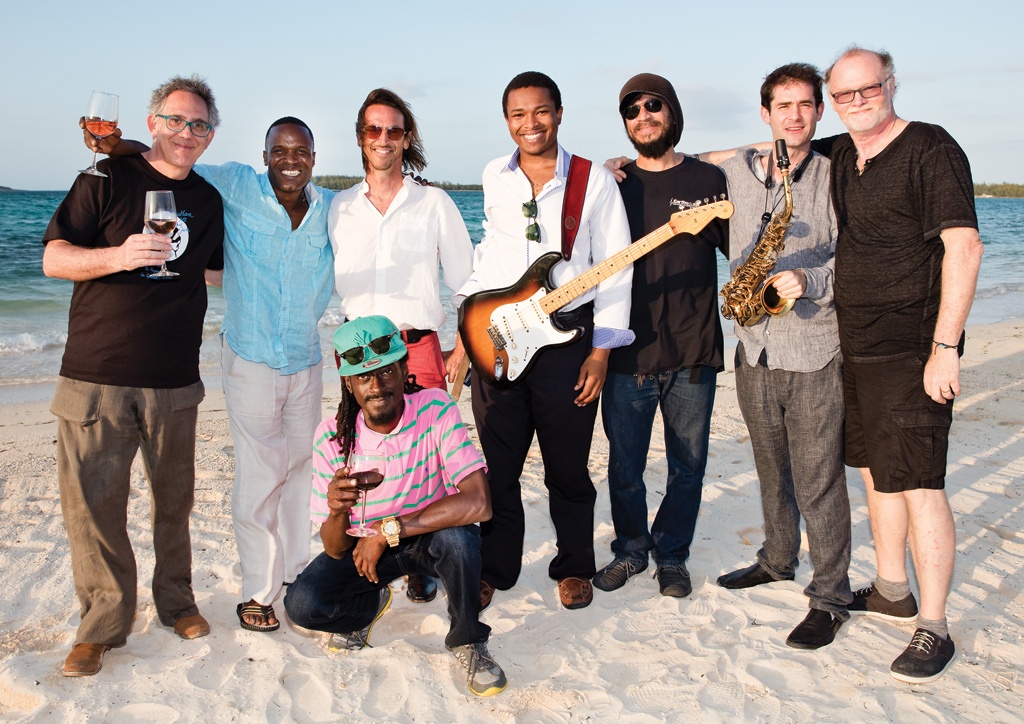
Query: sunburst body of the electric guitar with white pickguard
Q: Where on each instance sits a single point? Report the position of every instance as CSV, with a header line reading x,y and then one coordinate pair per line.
x,y
504,329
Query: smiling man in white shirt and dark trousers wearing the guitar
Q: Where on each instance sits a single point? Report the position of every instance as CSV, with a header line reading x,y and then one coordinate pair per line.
x,y
557,392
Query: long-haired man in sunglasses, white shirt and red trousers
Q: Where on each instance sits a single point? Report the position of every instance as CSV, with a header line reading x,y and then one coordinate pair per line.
x,y
389,235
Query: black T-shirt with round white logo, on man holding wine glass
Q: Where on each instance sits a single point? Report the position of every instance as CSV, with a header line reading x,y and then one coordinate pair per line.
x,y
124,329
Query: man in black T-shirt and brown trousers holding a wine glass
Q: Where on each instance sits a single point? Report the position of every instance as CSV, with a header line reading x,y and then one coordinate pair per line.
x,y
130,378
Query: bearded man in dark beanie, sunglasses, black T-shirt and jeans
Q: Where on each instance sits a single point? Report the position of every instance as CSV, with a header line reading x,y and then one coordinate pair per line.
x,y
678,353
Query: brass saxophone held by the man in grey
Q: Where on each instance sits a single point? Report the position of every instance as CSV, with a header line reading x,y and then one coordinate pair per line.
x,y
749,295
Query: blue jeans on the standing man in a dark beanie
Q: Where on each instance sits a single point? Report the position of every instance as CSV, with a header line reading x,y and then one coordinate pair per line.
x,y
628,407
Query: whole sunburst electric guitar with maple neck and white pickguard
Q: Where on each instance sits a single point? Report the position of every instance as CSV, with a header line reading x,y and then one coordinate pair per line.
x,y
503,330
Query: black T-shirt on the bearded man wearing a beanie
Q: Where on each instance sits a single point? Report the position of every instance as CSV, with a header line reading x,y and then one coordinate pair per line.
x,y
675,288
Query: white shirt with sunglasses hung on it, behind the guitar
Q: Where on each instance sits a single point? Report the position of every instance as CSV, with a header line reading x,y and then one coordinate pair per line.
x,y
505,253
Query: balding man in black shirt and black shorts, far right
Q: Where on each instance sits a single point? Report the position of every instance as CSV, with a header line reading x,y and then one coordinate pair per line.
x,y
907,266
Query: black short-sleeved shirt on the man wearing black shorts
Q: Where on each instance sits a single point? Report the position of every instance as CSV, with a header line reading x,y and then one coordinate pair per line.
x,y
889,254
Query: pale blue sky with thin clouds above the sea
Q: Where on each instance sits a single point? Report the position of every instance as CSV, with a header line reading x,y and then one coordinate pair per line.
x,y
959,65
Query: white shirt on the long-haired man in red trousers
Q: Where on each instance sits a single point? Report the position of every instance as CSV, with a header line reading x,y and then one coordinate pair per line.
x,y
388,265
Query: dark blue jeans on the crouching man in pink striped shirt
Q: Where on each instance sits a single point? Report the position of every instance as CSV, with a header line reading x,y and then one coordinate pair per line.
x,y
330,595
